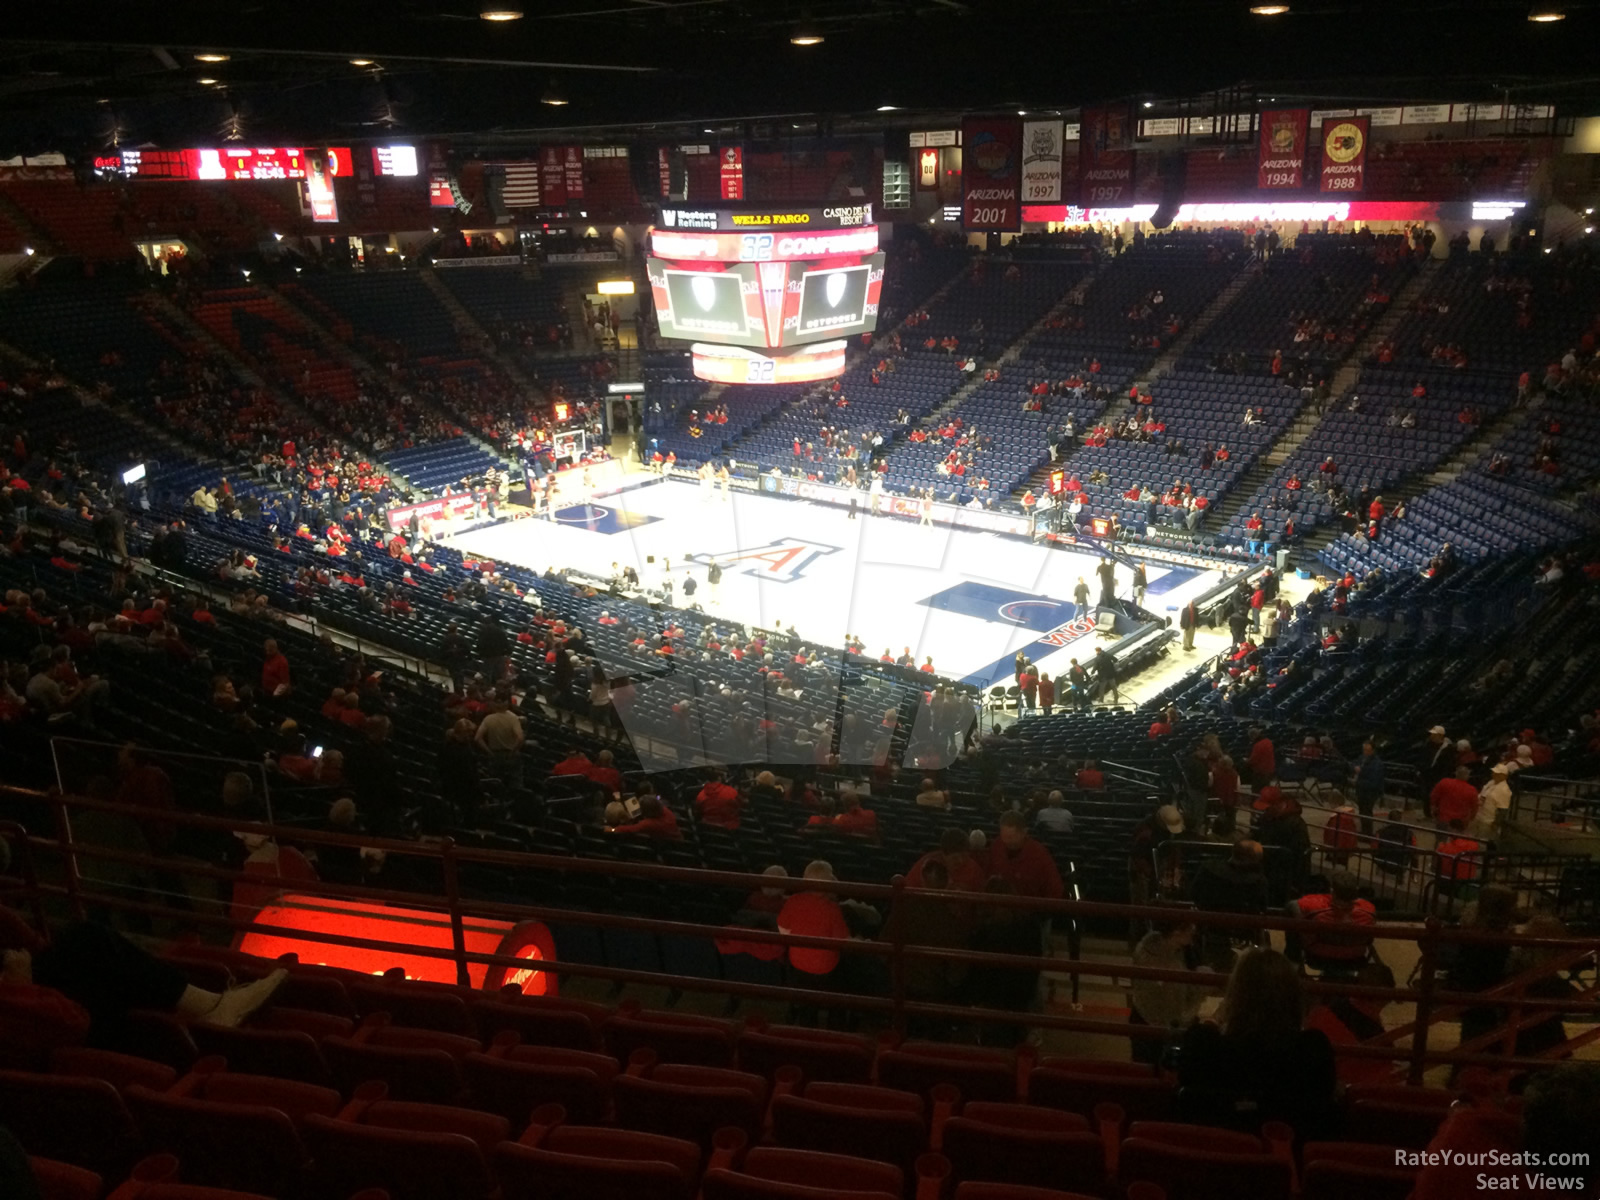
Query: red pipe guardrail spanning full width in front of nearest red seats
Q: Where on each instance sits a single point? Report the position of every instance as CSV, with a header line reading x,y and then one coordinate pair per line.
x,y
895,950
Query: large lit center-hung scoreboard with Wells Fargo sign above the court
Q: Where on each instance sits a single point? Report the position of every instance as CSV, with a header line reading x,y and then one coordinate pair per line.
x,y
772,282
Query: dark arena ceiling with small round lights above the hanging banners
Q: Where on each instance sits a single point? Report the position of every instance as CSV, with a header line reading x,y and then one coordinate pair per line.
x,y
81,74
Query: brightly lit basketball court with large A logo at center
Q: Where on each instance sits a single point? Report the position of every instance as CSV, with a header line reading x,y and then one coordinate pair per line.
x,y
967,599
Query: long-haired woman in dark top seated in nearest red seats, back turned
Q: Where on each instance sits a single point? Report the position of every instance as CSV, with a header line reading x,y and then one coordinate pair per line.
x,y
1257,1062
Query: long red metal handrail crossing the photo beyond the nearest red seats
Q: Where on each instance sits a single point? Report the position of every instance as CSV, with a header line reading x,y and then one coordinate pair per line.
x,y
898,1006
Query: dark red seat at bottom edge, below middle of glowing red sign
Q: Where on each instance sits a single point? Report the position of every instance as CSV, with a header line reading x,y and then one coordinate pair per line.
x,y
407,1164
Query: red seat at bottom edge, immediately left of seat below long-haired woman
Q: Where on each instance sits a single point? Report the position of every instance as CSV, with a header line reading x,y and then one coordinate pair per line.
x,y
1022,1145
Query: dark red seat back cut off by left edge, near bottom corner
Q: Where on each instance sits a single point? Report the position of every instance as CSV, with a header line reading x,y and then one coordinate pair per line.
x,y
74,1121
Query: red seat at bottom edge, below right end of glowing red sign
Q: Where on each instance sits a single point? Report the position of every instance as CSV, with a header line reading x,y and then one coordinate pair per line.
x,y
583,1164
